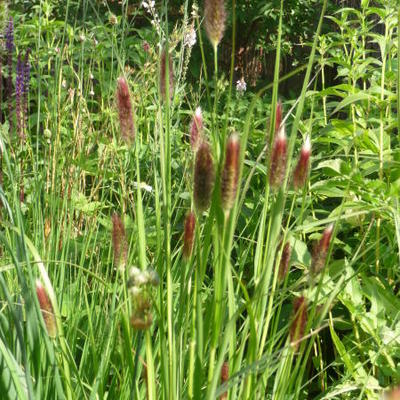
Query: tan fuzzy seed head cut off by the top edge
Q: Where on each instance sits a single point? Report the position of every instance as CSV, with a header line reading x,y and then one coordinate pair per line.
x,y
215,17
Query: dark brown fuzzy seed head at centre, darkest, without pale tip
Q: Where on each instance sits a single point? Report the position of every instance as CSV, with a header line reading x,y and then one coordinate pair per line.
x,y
204,176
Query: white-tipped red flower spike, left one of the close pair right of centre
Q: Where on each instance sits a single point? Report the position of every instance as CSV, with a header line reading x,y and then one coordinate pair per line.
x,y
277,168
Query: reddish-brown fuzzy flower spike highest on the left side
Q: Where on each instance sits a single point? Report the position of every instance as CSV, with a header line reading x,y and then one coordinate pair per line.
x,y
125,111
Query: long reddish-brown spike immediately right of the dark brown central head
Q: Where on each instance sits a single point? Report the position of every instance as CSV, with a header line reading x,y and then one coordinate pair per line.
x,y
230,173
